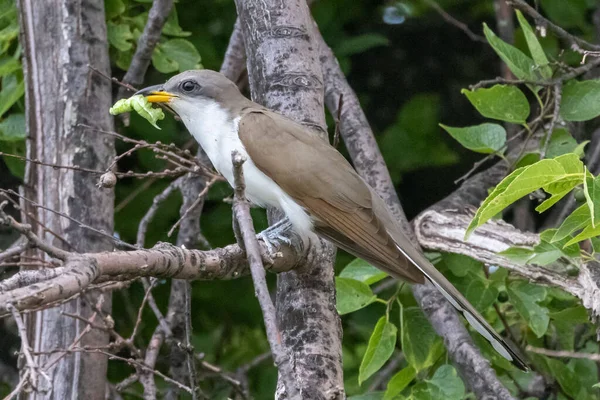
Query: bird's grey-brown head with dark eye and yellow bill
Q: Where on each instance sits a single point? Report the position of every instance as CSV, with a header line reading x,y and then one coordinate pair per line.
x,y
190,91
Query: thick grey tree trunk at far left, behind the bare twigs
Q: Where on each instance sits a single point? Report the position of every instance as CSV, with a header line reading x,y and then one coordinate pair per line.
x,y
61,38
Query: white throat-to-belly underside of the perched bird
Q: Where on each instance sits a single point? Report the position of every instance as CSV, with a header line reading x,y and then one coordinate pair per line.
x,y
217,134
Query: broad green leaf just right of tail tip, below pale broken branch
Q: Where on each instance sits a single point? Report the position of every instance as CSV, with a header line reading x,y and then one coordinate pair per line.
x,y
525,298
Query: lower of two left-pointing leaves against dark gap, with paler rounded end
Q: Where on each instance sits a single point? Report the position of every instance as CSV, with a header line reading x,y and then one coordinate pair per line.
x,y
485,138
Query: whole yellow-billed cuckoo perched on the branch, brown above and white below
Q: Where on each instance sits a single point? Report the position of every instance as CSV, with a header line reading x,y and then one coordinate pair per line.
x,y
291,168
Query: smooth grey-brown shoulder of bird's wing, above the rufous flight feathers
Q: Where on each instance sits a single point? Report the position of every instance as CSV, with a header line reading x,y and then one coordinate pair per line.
x,y
299,161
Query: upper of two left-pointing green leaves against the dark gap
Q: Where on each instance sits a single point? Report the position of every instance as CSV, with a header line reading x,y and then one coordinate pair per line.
x,y
503,102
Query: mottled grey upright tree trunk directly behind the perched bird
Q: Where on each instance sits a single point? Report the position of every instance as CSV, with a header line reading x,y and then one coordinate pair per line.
x,y
285,75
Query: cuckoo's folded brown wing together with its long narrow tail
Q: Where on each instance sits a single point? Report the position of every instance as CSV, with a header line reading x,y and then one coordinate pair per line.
x,y
346,210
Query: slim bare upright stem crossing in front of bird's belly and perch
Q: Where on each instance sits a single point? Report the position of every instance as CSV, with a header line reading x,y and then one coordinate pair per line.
x,y
241,209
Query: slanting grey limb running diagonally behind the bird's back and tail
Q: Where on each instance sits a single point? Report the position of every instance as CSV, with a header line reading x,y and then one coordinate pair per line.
x,y
368,161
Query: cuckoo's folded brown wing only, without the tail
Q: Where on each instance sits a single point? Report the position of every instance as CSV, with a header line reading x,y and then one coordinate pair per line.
x,y
320,179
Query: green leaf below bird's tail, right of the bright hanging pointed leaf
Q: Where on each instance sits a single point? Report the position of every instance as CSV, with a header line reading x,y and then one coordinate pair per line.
x,y
420,344
